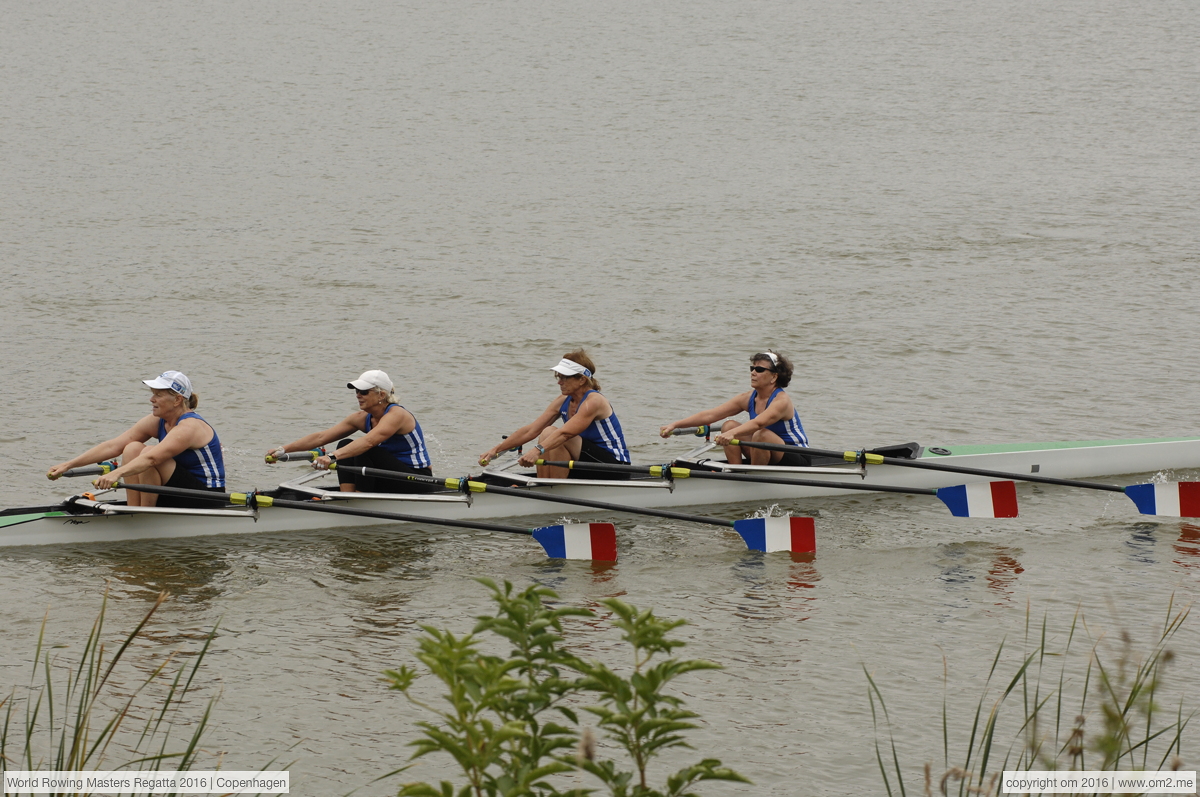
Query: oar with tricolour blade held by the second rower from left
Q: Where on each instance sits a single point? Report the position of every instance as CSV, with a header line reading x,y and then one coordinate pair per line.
x,y
802,540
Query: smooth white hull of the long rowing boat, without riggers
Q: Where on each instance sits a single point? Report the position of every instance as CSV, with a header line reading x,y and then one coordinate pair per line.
x,y
1075,460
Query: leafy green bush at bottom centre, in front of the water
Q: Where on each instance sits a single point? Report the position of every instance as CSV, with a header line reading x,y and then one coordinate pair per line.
x,y
513,726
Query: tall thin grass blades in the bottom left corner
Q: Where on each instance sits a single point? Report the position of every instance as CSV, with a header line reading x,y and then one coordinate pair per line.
x,y
76,716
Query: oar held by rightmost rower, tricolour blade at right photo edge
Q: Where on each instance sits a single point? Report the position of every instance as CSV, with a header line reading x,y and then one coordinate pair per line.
x,y
1168,500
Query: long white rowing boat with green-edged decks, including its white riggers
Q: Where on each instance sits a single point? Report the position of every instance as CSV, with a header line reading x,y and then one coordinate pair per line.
x,y
104,518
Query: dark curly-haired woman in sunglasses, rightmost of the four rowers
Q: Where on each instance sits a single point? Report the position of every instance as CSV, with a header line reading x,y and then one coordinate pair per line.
x,y
773,418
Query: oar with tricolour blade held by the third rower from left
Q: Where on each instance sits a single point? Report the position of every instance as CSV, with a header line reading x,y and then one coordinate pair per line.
x,y
988,500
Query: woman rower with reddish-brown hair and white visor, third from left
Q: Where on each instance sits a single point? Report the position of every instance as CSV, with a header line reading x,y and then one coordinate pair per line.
x,y
591,432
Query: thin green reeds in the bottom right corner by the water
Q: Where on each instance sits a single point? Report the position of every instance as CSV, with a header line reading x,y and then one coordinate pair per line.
x,y
1119,690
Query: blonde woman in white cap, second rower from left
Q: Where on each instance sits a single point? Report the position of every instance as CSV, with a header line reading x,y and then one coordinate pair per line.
x,y
393,440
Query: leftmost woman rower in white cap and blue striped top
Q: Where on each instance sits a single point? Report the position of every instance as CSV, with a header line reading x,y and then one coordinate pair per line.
x,y
188,454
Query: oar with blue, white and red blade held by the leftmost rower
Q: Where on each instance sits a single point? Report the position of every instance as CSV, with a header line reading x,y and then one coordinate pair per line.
x,y
597,542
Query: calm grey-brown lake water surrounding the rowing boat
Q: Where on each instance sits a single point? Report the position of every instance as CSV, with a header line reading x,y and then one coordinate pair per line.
x,y
965,223
